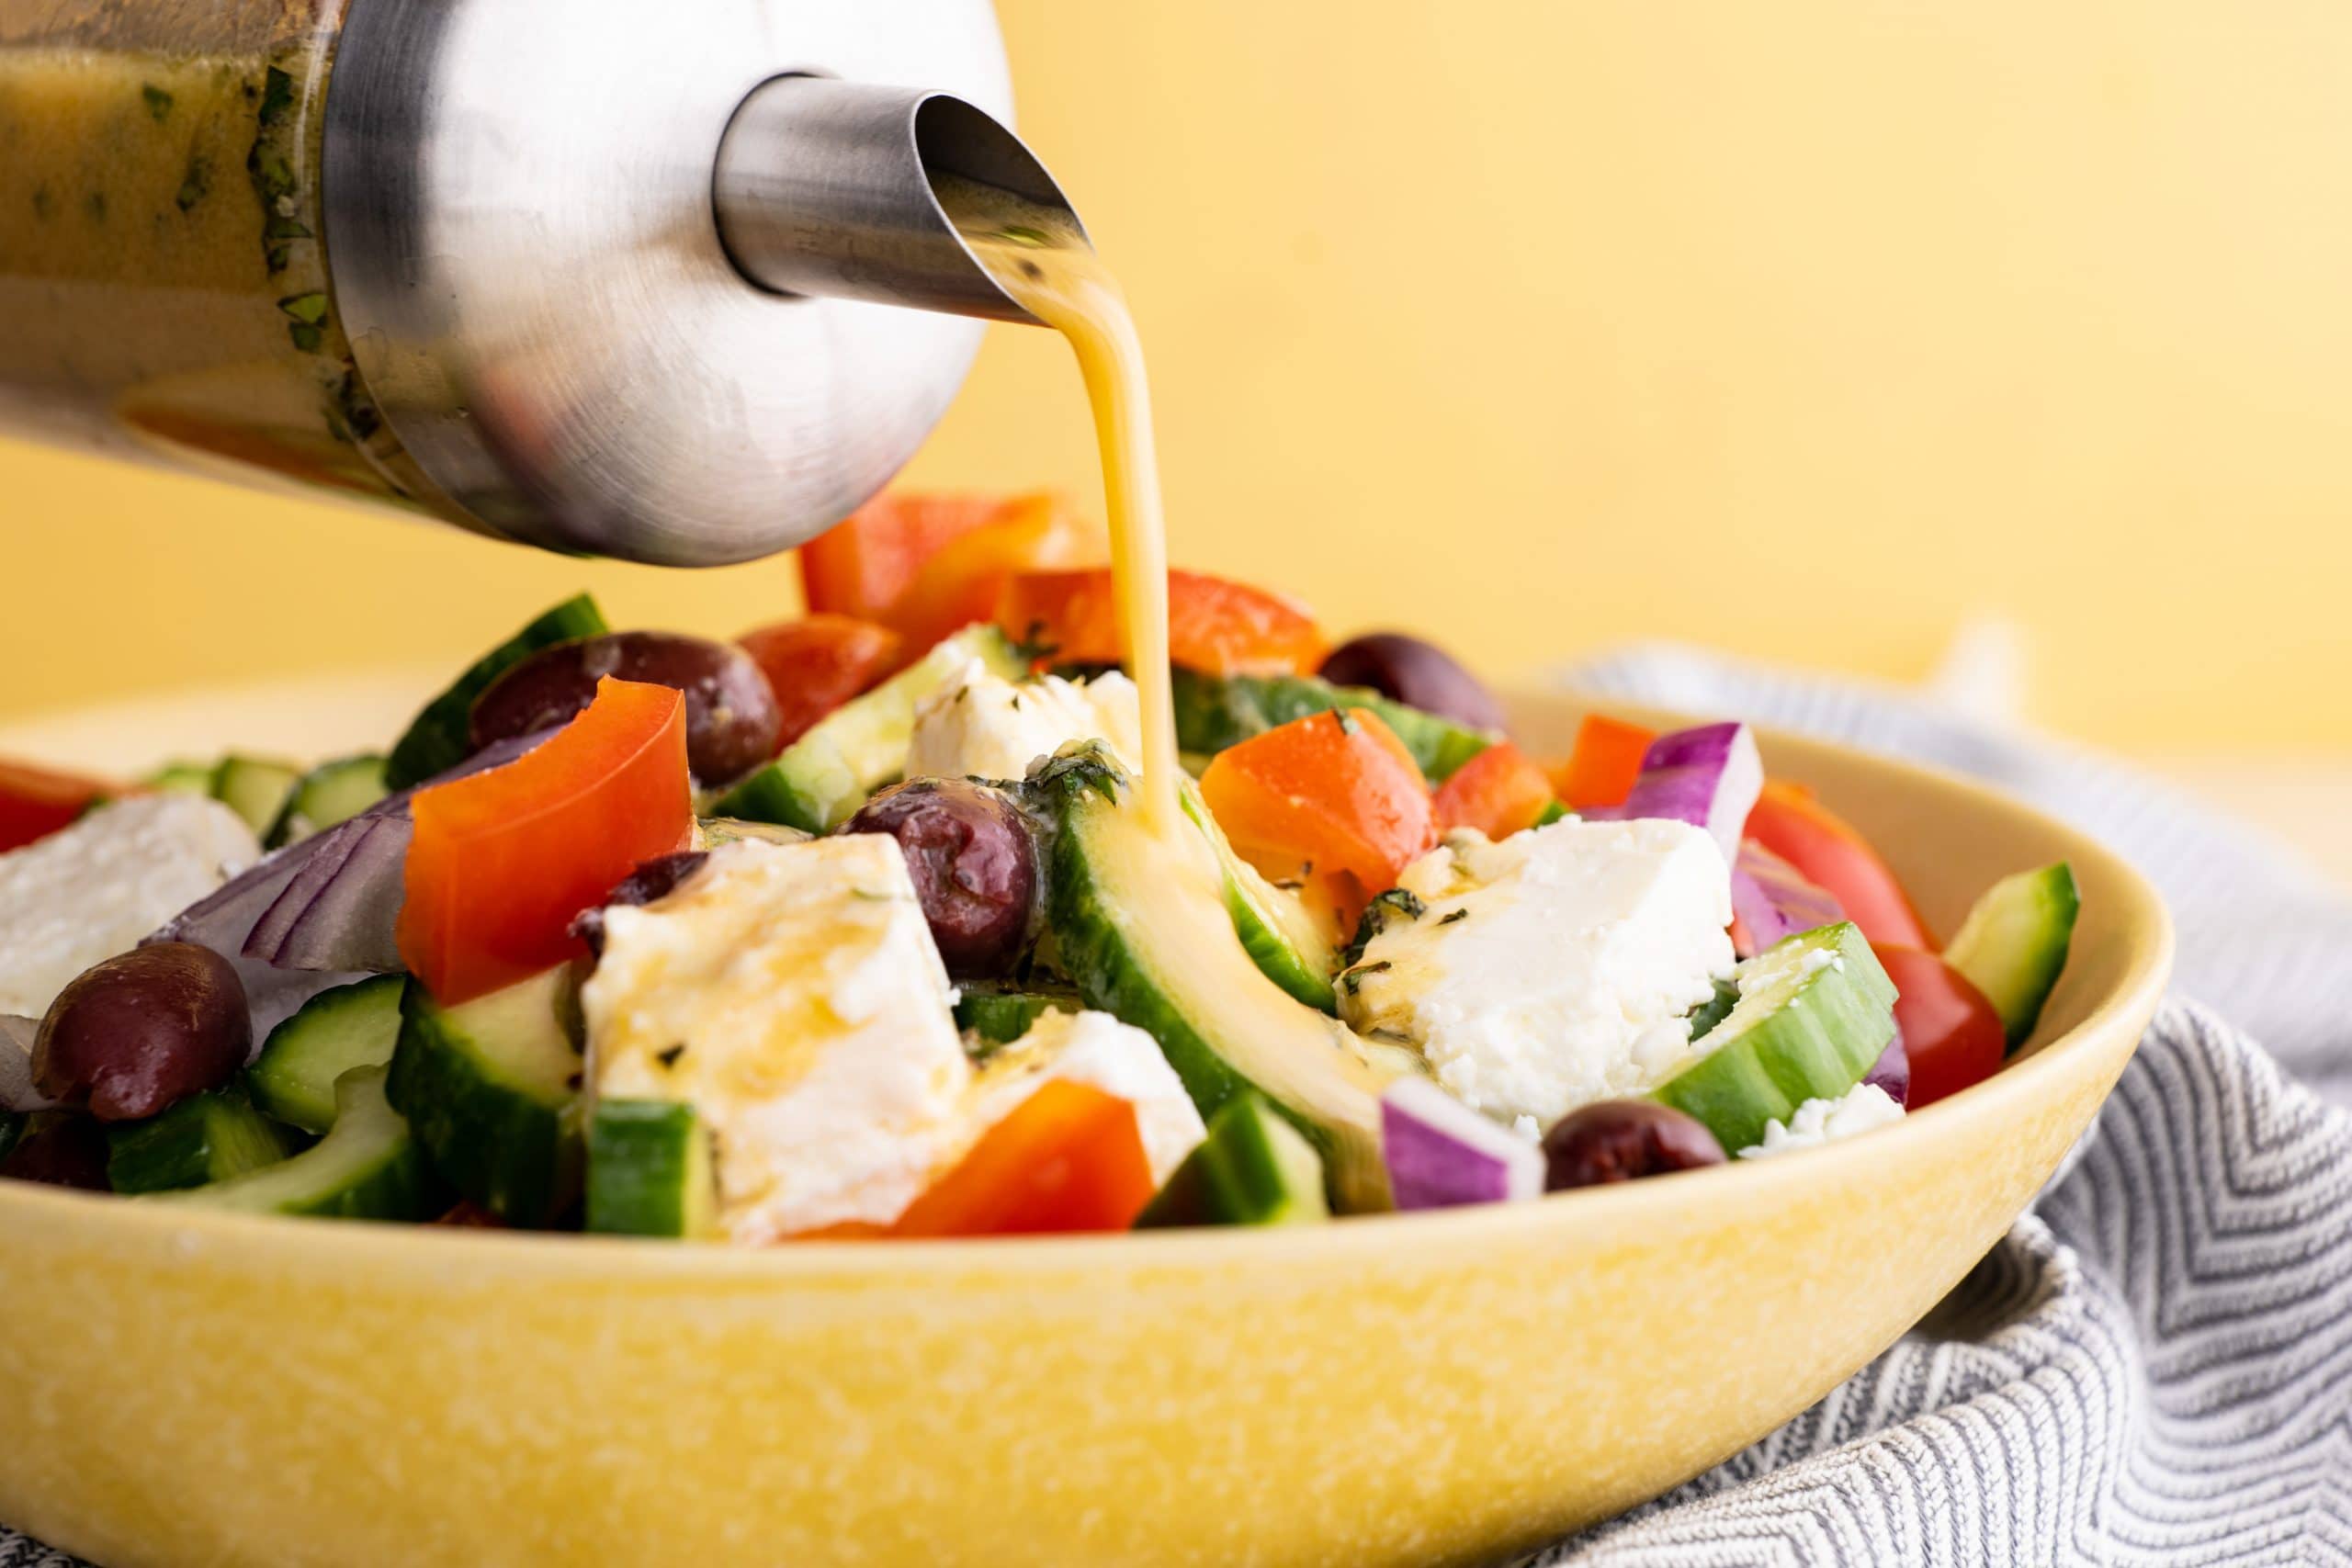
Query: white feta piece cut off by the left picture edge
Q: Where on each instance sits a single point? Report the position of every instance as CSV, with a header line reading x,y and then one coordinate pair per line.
x,y
93,890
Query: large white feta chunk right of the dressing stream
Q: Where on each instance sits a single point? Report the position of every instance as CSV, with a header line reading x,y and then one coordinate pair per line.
x,y
1553,967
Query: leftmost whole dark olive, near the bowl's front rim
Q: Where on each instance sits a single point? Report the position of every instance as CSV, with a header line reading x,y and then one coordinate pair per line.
x,y
145,1031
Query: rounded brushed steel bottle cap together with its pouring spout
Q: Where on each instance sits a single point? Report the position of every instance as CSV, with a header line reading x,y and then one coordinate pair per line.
x,y
636,283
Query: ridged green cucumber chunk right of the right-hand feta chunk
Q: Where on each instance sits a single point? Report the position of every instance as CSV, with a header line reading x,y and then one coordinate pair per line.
x,y
1810,1021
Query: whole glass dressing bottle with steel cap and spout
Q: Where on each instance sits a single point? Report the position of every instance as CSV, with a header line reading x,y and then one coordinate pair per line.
x,y
601,279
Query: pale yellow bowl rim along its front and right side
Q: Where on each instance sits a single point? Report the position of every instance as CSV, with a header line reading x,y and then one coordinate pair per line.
x,y
286,1242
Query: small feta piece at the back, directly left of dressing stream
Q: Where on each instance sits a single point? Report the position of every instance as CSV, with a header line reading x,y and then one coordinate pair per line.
x,y
982,725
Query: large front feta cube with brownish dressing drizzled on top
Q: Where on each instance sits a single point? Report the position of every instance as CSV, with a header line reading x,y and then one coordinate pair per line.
x,y
794,996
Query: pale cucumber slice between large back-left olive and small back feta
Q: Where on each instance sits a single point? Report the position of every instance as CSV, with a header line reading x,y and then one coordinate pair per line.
x,y
857,749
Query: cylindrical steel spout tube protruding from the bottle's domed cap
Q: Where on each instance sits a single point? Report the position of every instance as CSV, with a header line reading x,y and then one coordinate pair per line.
x,y
824,189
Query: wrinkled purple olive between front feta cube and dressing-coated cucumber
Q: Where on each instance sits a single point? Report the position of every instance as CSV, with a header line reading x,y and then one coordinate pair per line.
x,y
975,869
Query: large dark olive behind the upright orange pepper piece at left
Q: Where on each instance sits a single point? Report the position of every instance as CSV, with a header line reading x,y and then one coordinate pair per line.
x,y
733,718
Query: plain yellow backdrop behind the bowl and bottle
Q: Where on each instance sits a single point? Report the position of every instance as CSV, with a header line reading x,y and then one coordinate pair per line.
x,y
1803,330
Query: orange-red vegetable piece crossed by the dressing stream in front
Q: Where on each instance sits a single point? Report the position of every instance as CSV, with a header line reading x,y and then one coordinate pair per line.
x,y
1215,626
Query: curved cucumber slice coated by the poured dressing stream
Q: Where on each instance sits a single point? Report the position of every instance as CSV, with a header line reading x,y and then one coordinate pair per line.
x,y
1142,930
